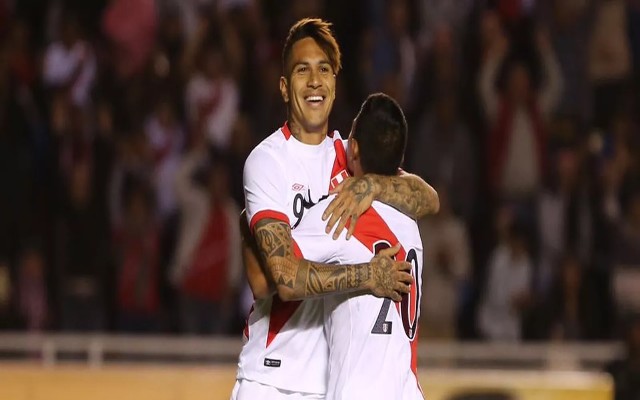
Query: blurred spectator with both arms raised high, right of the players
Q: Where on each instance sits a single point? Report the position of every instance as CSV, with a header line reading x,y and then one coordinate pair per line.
x,y
517,116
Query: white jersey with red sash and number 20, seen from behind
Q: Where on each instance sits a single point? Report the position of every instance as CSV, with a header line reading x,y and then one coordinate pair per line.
x,y
372,341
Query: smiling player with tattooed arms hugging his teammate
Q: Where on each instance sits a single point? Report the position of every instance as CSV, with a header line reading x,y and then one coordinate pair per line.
x,y
285,354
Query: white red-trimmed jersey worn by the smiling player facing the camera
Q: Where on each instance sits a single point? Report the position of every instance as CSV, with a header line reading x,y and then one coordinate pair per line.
x,y
285,346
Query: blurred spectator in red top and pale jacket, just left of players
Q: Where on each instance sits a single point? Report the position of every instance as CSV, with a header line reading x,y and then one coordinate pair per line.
x,y
207,266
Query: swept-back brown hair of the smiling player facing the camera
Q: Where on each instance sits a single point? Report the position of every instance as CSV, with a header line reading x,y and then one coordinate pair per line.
x,y
318,30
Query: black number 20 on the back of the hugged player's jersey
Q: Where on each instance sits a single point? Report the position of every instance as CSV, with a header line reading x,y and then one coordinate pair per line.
x,y
410,303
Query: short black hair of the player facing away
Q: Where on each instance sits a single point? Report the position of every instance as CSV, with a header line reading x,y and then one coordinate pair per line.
x,y
380,129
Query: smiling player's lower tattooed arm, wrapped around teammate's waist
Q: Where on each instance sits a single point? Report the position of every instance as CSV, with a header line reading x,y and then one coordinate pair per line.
x,y
297,279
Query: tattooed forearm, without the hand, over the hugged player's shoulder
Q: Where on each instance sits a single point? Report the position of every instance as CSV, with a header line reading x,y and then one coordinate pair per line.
x,y
409,194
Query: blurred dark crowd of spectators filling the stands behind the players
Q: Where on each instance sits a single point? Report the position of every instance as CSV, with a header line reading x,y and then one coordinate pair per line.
x,y
124,126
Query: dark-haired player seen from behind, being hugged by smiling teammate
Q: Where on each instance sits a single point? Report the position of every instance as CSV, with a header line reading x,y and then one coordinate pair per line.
x,y
372,341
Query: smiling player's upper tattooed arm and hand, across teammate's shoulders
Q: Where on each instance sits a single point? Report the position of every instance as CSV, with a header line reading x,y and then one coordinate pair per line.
x,y
406,192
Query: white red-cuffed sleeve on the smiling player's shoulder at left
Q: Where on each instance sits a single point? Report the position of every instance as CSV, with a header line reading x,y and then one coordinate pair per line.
x,y
265,188
